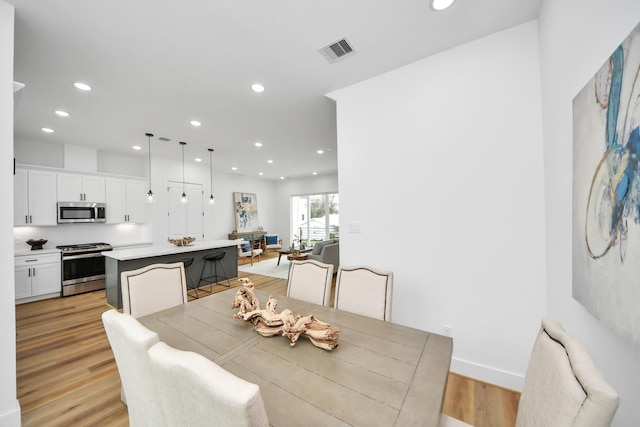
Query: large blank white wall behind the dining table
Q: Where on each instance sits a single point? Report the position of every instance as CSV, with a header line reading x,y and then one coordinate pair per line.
x,y
441,164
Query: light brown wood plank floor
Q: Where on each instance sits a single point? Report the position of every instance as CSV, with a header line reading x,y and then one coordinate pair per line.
x,y
67,376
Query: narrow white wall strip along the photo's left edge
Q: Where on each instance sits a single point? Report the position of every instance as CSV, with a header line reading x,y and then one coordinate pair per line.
x,y
9,406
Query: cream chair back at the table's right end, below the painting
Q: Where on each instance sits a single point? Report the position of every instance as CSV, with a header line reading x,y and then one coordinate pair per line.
x,y
562,386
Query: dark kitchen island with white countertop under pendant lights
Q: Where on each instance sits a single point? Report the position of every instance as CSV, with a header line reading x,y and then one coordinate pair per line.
x,y
120,260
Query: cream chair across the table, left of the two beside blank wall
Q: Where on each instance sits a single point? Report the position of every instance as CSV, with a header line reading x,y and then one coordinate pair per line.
x,y
310,281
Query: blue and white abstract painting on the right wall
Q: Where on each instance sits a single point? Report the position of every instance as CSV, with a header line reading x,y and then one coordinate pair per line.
x,y
606,192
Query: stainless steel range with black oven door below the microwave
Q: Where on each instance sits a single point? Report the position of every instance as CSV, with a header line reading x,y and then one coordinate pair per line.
x,y
83,268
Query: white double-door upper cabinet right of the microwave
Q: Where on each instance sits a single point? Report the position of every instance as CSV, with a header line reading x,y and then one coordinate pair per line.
x,y
125,200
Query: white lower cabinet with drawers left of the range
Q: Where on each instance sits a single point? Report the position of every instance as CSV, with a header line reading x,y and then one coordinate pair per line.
x,y
37,276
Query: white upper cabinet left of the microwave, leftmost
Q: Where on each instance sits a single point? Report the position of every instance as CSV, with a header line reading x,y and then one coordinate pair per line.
x,y
34,197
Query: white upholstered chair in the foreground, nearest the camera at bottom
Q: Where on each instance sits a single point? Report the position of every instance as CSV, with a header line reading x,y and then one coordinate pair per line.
x,y
197,392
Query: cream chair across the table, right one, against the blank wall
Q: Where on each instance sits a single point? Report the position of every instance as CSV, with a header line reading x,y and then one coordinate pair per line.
x,y
364,290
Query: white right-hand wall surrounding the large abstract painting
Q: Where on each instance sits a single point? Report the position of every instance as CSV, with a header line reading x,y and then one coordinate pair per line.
x,y
576,38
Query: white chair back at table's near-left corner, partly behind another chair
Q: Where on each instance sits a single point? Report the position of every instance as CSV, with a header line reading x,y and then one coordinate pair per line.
x,y
130,342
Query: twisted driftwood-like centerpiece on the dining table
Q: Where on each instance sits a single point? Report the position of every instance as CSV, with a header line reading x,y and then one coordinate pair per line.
x,y
268,322
